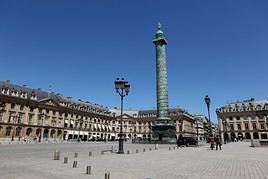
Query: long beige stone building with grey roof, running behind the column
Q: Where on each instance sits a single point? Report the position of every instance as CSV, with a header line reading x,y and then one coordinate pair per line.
x,y
34,115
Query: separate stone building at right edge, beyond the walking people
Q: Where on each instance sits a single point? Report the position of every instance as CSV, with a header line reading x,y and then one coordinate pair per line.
x,y
244,120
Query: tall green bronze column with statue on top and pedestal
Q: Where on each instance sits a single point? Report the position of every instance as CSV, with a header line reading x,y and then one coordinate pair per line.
x,y
163,128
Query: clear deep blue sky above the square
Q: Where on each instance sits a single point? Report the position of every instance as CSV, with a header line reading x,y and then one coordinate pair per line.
x,y
216,48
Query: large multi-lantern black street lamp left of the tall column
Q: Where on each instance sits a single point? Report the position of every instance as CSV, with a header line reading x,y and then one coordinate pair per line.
x,y
122,88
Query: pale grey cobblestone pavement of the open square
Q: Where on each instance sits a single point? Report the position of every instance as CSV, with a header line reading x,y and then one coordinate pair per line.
x,y
234,161
